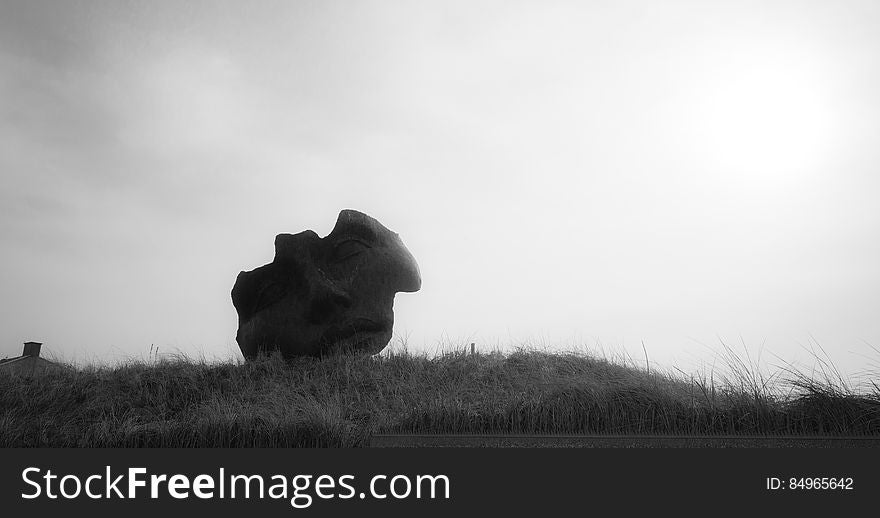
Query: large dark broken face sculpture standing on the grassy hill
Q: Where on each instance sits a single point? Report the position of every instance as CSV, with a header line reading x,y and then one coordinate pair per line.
x,y
324,294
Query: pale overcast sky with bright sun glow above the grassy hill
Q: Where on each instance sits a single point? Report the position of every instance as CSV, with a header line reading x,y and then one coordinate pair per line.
x,y
565,173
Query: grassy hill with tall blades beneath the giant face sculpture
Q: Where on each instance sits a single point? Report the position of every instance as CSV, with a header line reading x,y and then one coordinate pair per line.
x,y
342,400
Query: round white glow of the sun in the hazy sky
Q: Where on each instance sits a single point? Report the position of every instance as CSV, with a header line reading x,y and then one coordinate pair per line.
x,y
766,120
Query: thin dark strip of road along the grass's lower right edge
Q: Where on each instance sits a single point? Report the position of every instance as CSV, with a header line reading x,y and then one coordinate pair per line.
x,y
621,441
